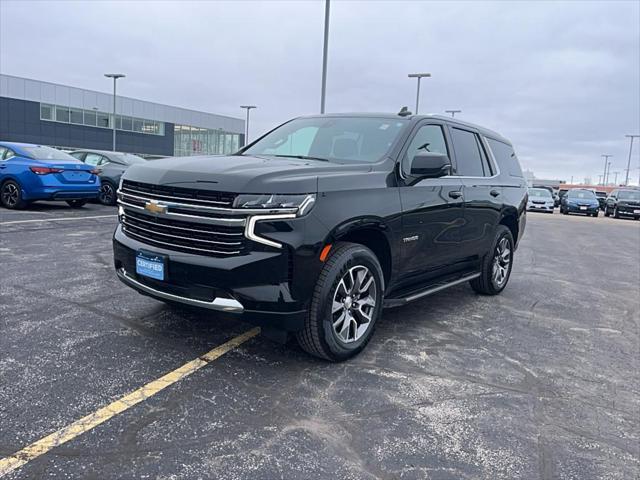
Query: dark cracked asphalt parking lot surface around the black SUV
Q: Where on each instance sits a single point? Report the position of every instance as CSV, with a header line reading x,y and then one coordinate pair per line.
x,y
542,381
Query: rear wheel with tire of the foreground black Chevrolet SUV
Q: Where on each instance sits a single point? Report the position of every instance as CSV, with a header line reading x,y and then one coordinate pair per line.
x,y
496,265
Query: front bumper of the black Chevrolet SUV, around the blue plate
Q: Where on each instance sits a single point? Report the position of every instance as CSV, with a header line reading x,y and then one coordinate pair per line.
x,y
266,288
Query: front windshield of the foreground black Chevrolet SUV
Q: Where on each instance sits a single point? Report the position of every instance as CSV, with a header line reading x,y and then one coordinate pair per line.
x,y
336,139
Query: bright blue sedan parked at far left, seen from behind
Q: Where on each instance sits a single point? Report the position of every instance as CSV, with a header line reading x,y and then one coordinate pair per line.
x,y
35,172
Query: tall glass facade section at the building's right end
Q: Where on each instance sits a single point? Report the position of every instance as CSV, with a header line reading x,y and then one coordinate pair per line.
x,y
190,140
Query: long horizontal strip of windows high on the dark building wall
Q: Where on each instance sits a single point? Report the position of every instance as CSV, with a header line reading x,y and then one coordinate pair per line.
x,y
94,118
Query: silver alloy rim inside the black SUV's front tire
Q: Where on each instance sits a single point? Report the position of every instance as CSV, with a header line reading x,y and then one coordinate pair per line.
x,y
354,302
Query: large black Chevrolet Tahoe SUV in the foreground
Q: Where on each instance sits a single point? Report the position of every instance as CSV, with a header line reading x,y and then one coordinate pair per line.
x,y
319,224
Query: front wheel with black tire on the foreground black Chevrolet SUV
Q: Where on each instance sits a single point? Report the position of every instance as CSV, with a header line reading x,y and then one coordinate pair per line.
x,y
319,337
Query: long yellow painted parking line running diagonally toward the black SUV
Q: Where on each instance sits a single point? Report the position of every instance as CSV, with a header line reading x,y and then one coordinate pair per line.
x,y
94,419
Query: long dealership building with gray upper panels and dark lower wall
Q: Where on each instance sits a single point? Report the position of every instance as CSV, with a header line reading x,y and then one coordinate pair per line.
x,y
45,113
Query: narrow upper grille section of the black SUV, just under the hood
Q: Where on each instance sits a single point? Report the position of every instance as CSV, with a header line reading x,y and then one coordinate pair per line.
x,y
170,193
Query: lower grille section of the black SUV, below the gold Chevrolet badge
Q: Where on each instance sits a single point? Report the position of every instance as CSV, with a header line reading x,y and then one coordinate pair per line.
x,y
189,237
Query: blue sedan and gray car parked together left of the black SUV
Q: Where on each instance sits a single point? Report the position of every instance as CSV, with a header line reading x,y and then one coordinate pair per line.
x,y
29,173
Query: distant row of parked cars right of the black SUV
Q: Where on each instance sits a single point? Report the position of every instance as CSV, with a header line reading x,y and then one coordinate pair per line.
x,y
624,202
